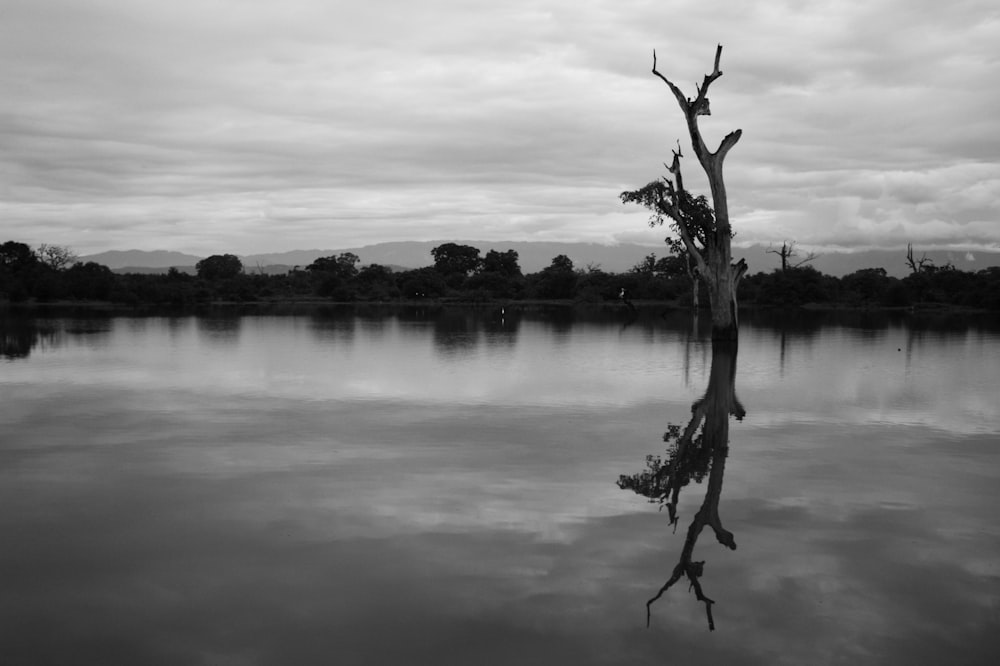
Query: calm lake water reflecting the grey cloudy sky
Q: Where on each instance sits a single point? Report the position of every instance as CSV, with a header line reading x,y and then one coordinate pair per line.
x,y
433,486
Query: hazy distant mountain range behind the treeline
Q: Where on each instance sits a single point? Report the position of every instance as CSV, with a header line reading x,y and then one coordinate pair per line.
x,y
536,256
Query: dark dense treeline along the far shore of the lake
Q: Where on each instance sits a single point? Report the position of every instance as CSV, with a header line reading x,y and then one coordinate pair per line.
x,y
459,273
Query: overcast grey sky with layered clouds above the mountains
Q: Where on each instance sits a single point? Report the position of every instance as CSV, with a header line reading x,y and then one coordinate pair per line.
x,y
249,126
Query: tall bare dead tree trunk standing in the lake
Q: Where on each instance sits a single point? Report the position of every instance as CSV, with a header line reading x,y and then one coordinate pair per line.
x,y
714,265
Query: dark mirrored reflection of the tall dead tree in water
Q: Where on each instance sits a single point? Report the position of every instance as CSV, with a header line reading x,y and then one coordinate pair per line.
x,y
695,452
